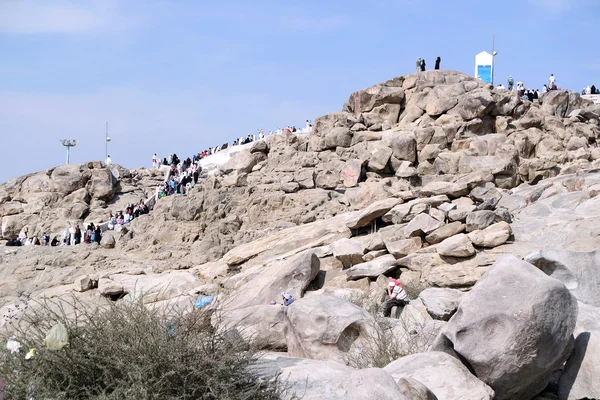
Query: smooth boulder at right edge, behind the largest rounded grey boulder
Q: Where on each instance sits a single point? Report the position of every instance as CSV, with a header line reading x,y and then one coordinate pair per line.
x,y
579,271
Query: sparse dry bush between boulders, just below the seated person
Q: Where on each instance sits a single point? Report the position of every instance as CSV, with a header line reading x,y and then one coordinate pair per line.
x,y
390,339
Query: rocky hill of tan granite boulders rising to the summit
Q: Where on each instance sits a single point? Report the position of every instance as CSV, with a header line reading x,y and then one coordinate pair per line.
x,y
483,205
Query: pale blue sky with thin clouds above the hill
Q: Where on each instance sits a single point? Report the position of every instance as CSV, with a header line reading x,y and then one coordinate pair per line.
x,y
178,76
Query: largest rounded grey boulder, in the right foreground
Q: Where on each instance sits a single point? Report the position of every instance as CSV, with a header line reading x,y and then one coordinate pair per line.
x,y
513,329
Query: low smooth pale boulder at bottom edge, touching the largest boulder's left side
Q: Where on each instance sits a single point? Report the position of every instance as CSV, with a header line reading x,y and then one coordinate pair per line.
x,y
444,375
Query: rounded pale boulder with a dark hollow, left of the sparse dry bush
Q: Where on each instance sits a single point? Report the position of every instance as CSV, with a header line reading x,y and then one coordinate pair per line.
x,y
325,328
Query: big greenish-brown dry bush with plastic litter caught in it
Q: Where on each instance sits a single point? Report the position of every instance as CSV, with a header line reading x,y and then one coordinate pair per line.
x,y
127,350
